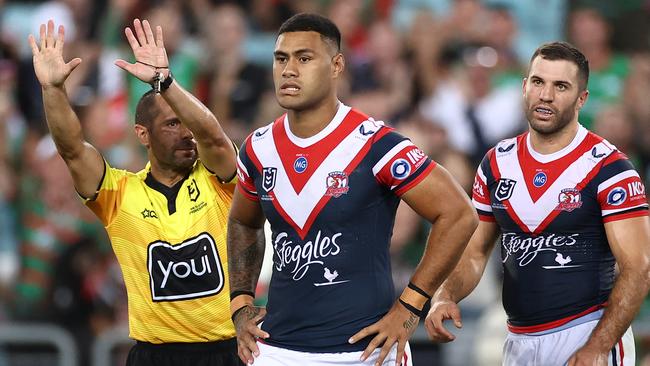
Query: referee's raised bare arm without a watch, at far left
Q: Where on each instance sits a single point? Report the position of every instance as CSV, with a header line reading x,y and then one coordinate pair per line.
x,y
83,160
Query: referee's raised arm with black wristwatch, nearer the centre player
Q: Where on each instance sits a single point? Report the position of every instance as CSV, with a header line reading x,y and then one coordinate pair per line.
x,y
215,148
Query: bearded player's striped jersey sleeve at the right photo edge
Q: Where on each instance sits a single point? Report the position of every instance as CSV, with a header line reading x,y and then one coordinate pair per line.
x,y
621,193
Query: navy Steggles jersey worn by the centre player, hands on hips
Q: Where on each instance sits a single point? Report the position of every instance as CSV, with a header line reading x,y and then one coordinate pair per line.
x,y
331,202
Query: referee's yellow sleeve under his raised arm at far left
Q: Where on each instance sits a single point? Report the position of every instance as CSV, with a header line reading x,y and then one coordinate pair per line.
x,y
106,203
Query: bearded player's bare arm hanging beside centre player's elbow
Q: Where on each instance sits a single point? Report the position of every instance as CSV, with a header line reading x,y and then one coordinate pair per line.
x,y
461,282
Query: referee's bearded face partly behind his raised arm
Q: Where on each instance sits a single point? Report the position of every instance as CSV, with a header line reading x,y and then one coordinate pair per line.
x,y
171,144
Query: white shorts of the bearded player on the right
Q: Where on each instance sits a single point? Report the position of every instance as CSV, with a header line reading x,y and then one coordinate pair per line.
x,y
555,349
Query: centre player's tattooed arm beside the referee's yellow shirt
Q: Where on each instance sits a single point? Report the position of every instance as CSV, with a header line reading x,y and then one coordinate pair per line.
x,y
245,255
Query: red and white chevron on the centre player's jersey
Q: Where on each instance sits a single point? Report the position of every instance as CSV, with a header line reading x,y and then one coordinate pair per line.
x,y
300,193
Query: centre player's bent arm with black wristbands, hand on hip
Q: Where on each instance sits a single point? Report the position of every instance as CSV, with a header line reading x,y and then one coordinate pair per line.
x,y
440,200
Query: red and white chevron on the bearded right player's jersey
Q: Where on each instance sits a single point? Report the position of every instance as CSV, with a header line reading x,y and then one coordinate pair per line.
x,y
567,175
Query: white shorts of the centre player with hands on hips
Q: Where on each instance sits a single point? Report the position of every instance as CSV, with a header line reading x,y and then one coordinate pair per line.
x,y
275,356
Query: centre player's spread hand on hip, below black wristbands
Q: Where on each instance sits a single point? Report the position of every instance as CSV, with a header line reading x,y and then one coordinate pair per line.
x,y
395,327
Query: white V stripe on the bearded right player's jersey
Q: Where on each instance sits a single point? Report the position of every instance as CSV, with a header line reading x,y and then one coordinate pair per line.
x,y
531,213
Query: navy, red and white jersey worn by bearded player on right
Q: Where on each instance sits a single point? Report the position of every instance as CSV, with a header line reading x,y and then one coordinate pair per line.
x,y
551,211
